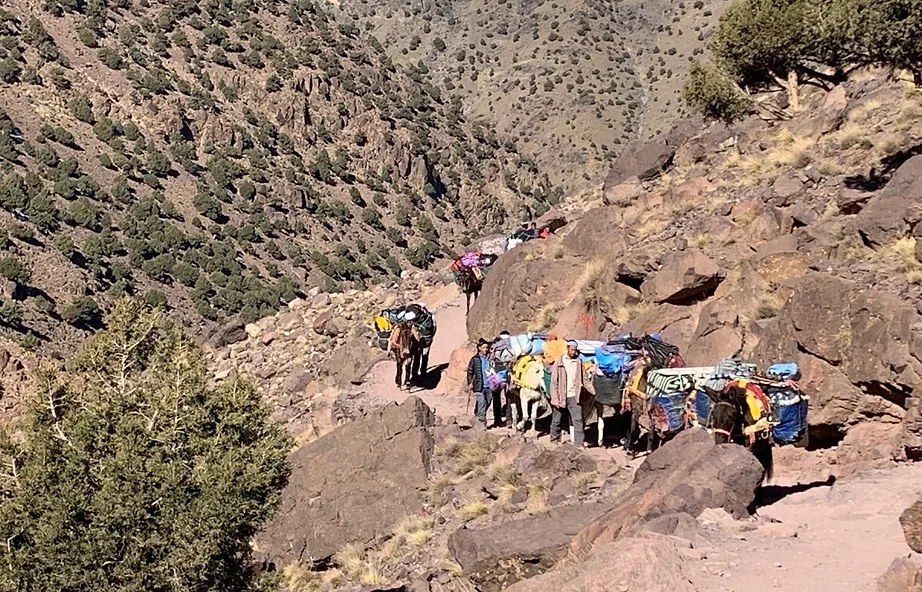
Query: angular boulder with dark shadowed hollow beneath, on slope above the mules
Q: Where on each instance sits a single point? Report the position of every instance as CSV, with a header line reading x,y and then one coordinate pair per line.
x,y
683,277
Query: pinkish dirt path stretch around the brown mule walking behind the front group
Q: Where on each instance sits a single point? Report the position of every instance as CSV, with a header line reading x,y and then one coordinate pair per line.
x,y
444,396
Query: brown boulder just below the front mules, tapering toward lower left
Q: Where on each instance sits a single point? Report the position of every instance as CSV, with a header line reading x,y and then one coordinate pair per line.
x,y
687,475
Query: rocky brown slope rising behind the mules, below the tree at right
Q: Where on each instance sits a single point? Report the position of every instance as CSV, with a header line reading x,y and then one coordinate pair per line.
x,y
798,239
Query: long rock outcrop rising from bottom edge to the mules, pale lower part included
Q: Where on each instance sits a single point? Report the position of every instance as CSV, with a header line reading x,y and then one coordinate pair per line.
x,y
631,544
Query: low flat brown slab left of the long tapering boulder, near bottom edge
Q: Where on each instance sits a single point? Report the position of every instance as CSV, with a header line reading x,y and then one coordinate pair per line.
x,y
536,542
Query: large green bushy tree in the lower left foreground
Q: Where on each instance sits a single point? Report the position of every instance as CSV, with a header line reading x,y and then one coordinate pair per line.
x,y
139,474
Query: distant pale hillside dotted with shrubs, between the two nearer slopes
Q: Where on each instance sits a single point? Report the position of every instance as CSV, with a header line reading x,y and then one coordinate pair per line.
x,y
575,82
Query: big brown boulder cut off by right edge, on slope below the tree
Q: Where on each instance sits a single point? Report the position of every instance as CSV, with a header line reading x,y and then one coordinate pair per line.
x,y
896,209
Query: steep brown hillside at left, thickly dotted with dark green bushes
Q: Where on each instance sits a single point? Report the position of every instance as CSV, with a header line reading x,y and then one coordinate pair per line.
x,y
221,159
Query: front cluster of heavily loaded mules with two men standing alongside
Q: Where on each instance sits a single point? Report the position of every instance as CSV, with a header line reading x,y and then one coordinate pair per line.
x,y
639,386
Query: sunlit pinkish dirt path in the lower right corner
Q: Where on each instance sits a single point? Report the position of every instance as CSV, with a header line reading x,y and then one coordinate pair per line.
x,y
824,538
